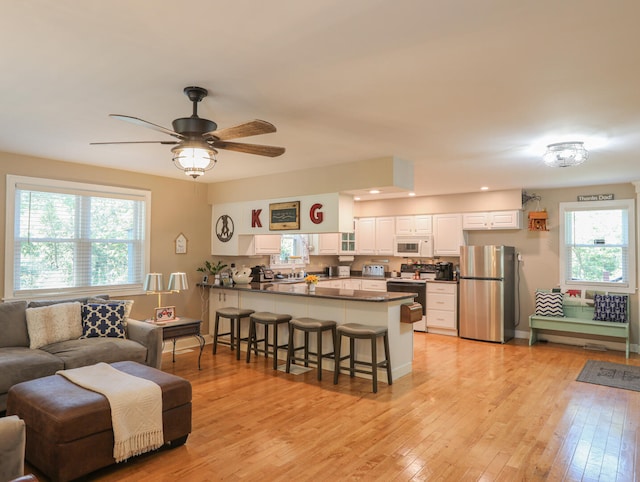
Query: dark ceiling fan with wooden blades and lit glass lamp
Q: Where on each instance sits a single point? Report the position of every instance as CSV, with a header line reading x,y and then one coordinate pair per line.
x,y
198,139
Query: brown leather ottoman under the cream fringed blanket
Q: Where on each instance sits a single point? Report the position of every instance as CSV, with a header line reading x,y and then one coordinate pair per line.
x,y
69,430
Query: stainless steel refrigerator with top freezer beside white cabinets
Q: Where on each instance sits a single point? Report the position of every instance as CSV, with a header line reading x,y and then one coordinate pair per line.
x,y
487,293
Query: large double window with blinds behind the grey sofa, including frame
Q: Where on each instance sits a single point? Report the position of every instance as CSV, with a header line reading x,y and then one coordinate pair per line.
x,y
67,238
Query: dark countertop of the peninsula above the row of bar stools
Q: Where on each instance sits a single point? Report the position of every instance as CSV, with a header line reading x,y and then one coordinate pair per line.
x,y
300,289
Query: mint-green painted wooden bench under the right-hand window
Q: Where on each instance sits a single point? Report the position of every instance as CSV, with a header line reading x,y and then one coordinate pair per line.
x,y
578,319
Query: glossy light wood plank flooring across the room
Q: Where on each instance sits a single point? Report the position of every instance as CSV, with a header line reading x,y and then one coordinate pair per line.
x,y
469,411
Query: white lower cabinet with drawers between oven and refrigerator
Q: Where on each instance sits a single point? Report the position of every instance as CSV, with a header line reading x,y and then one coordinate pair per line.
x,y
442,308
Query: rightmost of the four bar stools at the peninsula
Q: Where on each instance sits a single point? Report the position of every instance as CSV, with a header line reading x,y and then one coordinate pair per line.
x,y
357,331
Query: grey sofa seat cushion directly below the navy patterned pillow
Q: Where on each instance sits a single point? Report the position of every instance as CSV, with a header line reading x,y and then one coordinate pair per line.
x,y
88,351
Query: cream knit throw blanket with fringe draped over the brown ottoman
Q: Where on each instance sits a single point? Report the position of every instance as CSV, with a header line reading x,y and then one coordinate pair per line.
x,y
136,407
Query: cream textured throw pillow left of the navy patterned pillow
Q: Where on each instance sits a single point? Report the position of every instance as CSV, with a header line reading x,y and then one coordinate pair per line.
x,y
53,323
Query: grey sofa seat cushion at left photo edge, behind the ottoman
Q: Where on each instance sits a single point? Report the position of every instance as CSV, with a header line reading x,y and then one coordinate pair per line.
x,y
19,364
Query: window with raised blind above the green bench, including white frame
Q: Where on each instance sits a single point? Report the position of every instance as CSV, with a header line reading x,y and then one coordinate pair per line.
x,y
597,245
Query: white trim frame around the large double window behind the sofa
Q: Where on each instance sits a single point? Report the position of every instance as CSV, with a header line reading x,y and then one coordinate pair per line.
x,y
52,185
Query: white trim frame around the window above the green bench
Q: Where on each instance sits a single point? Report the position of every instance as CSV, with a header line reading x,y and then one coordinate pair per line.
x,y
629,205
